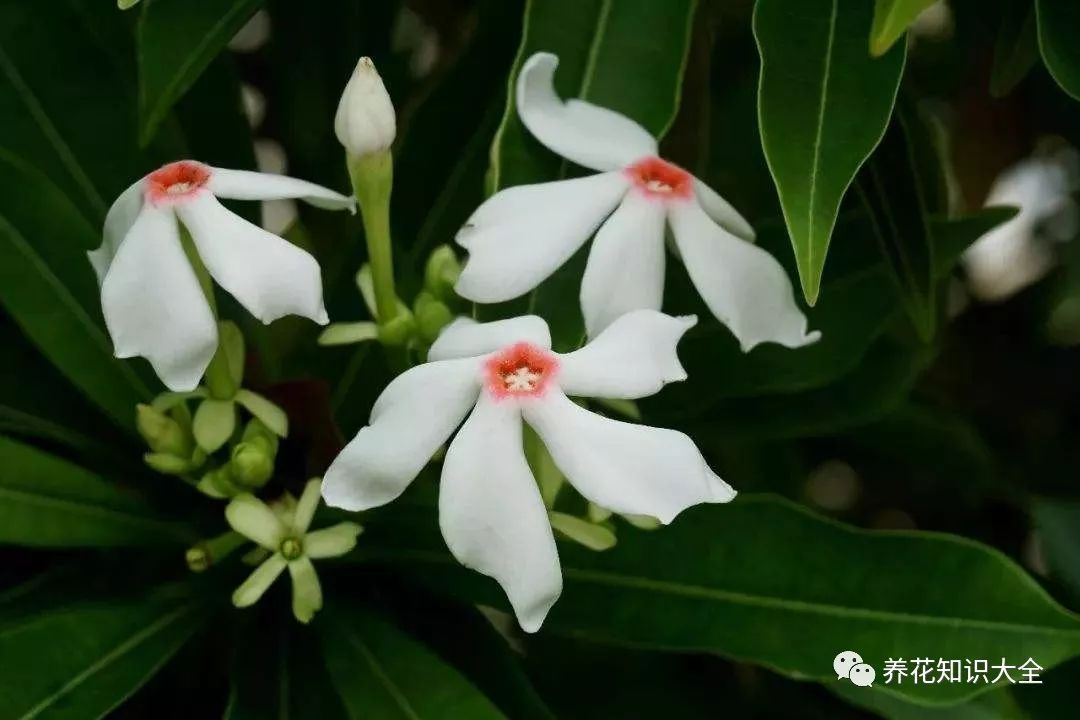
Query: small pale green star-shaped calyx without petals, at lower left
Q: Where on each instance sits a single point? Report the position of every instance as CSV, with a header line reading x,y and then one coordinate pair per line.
x,y
283,532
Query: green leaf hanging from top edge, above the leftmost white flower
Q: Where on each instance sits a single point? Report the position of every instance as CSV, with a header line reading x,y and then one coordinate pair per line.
x,y
177,40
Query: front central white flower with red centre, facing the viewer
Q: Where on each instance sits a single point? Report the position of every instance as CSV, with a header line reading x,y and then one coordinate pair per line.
x,y
490,508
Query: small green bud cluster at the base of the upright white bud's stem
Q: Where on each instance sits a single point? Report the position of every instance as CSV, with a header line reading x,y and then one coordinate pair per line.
x,y
414,328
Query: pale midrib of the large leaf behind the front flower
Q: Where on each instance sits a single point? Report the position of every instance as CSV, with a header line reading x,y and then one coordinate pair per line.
x,y
736,597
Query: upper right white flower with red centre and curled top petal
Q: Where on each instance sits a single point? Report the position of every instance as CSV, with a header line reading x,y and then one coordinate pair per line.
x,y
522,235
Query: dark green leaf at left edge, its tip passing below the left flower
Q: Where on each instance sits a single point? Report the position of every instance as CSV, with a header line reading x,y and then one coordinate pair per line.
x,y
48,287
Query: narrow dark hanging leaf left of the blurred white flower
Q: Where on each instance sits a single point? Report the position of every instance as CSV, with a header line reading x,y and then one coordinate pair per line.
x,y
893,189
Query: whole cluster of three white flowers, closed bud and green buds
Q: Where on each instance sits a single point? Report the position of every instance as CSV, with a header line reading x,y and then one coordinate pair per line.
x,y
168,237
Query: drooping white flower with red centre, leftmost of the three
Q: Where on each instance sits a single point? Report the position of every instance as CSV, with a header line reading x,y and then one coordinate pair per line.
x,y
152,300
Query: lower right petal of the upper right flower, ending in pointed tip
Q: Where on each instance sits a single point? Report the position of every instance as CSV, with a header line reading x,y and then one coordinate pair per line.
x,y
742,284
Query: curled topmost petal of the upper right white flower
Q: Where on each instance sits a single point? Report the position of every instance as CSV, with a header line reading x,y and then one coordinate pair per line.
x,y
588,134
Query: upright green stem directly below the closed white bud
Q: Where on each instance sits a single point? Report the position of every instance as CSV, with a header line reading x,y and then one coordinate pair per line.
x,y
373,179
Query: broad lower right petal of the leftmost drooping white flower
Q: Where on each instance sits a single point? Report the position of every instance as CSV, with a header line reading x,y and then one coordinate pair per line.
x,y
271,277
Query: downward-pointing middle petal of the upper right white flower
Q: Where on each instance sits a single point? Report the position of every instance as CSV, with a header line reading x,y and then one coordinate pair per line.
x,y
626,268
